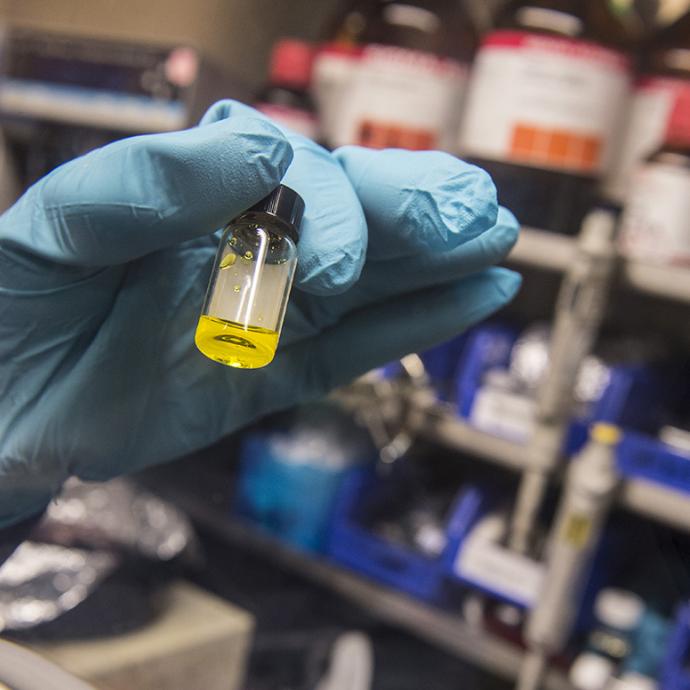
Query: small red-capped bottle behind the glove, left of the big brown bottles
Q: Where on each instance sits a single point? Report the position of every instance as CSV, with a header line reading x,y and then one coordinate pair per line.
x,y
286,98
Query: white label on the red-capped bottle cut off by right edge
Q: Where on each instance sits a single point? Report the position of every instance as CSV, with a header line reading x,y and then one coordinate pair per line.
x,y
655,227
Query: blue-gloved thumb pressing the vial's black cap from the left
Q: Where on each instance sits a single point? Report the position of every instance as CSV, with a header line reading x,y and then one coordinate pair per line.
x,y
141,194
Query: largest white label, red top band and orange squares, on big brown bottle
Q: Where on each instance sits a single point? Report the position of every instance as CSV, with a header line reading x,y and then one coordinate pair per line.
x,y
546,102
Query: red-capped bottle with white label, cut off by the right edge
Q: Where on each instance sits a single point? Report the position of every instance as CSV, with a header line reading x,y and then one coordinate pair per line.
x,y
654,226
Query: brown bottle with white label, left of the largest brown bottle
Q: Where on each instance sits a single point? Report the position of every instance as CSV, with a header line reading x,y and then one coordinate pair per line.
x,y
406,83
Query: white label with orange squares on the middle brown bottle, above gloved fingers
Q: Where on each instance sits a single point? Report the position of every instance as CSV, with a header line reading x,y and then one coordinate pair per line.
x,y
402,98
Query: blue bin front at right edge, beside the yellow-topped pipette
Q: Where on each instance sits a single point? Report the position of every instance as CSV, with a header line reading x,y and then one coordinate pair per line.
x,y
643,456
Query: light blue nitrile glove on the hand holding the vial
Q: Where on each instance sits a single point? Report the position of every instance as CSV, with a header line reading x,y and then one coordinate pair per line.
x,y
104,264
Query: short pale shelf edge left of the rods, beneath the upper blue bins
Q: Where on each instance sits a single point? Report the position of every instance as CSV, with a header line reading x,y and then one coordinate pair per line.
x,y
443,426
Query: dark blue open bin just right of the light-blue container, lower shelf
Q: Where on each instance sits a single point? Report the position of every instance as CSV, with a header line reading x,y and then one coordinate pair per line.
x,y
351,544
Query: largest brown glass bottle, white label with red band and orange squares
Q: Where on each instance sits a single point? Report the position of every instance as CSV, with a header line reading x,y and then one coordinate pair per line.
x,y
544,107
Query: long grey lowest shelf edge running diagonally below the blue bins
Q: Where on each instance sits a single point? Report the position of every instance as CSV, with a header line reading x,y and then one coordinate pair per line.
x,y
444,630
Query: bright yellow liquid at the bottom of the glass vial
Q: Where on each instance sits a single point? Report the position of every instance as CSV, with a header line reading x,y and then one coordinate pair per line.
x,y
235,345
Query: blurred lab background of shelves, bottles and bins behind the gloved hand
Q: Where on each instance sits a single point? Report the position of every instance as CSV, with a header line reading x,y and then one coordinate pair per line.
x,y
509,509
